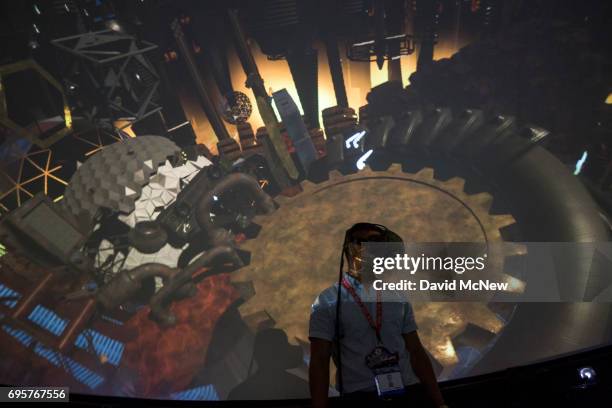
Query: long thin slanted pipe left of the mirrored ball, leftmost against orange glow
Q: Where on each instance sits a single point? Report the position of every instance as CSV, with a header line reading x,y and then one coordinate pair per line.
x,y
209,108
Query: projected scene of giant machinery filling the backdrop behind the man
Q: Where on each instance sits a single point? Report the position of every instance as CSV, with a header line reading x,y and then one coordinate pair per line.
x,y
165,233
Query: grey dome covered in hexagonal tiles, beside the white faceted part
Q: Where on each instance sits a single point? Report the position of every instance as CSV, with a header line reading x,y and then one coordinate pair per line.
x,y
114,177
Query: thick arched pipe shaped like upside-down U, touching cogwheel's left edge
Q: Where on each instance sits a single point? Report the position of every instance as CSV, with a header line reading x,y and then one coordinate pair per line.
x,y
236,181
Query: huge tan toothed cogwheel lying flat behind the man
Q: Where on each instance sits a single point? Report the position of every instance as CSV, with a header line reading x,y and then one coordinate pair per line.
x,y
296,254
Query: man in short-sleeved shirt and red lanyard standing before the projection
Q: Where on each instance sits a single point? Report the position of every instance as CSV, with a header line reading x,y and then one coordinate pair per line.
x,y
365,330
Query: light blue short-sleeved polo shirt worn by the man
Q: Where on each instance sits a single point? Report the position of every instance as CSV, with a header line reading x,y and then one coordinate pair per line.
x,y
358,337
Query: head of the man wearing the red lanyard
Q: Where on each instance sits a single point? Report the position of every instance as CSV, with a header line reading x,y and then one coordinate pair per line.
x,y
354,249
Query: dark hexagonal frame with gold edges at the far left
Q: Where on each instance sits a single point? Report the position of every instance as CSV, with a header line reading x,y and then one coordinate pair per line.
x,y
47,132
